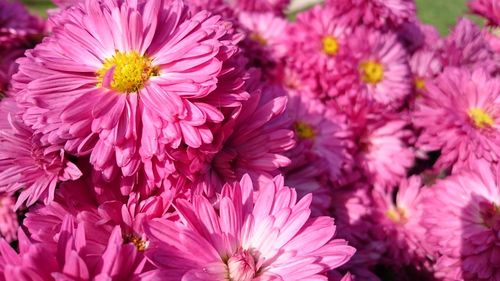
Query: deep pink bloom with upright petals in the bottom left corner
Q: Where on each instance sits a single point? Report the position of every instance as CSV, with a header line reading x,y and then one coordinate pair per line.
x,y
75,256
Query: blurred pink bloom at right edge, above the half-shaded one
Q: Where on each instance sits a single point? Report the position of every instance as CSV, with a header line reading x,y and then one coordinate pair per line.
x,y
459,115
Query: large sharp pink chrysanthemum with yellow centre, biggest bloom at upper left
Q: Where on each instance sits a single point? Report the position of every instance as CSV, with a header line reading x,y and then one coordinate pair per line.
x,y
127,89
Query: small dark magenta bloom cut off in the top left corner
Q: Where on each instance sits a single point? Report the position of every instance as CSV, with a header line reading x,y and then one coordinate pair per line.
x,y
17,26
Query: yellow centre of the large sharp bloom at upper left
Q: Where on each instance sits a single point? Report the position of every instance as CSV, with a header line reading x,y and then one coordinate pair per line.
x,y
126,72
